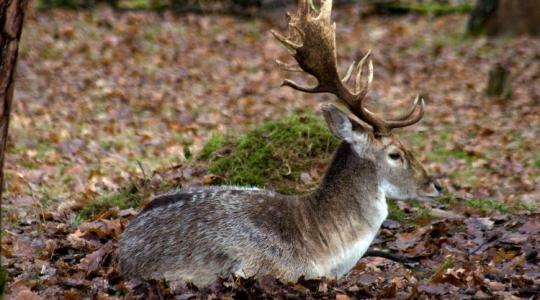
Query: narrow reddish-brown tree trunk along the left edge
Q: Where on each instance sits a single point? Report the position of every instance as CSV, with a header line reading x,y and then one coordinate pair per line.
x,y
11,20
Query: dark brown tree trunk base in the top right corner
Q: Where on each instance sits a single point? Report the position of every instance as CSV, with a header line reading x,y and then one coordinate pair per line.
x,y
505,17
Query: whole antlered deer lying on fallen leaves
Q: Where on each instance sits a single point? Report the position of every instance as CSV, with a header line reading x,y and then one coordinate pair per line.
x,y
200,233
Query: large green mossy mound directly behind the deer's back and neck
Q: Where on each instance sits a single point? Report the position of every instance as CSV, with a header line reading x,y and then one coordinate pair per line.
x,y
274,154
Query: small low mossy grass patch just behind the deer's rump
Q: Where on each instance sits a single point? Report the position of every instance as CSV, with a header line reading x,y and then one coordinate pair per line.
x,y
130,196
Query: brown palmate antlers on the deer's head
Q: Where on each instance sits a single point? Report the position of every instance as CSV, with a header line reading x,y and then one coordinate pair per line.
x,y
312,42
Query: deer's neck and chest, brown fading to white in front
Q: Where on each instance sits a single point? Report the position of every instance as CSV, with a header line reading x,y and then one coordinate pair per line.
x,y
344,214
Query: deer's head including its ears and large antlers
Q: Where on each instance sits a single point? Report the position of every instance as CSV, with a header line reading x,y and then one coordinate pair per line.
x,y
311,41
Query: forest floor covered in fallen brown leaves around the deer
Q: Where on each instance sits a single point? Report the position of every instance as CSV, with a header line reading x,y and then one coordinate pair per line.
x,y
106,100
